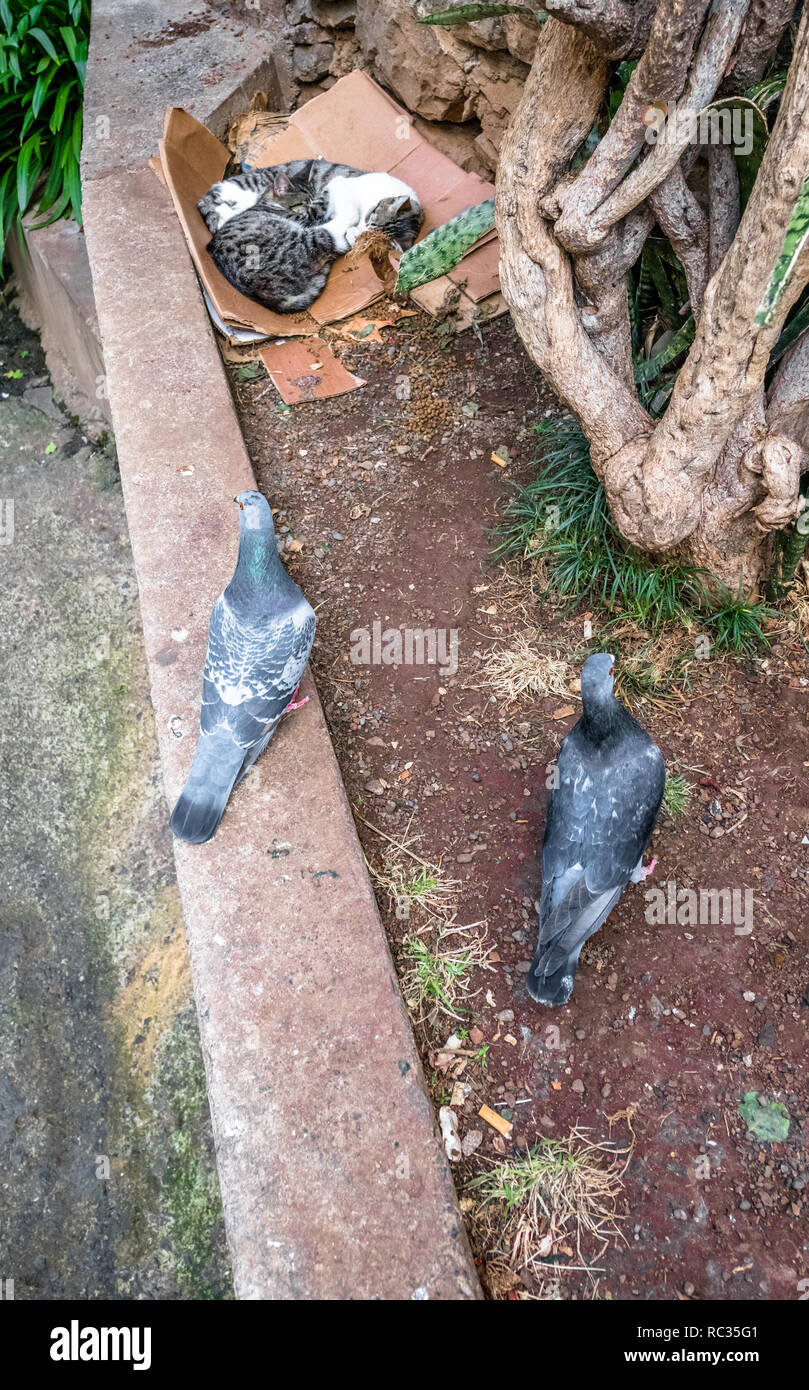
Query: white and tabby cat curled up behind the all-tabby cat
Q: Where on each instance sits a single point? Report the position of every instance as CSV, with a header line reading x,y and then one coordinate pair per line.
x,y
311,193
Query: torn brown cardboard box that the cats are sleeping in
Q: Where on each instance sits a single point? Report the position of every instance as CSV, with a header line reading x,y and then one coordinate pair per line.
x,y
354,123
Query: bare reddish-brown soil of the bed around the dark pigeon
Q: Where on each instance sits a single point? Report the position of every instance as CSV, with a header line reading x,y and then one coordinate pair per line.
x,y
393,504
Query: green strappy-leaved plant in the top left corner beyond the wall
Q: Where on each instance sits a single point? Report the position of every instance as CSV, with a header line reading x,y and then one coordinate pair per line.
x,y
44,52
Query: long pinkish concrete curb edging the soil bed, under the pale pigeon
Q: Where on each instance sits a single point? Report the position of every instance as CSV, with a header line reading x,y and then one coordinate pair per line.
x,y
334,1182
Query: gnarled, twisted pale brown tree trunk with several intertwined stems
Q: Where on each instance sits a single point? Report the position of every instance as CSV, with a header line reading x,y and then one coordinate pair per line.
x,y
719,472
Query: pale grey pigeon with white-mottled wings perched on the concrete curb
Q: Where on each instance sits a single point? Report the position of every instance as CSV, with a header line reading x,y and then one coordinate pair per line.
x,y
259,641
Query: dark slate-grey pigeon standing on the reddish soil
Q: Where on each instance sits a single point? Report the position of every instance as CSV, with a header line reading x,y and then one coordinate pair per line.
x,y
600,822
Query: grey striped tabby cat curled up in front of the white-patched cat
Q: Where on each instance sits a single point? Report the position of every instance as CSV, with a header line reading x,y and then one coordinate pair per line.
x,y
273,259
